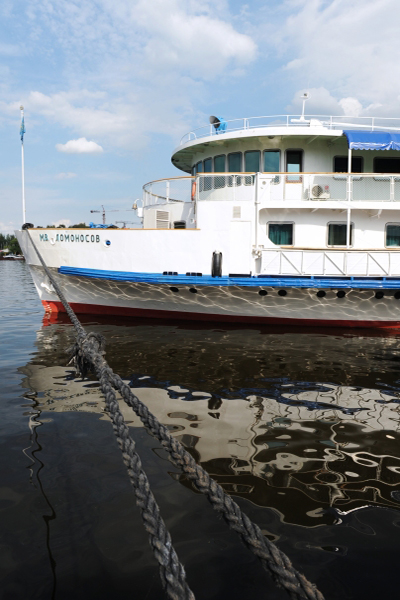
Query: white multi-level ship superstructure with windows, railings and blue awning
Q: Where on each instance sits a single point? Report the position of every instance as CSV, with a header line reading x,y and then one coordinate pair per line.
x,y
289,195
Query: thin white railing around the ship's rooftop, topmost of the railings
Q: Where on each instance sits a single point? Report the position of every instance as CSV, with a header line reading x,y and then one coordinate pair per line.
x,y
328,121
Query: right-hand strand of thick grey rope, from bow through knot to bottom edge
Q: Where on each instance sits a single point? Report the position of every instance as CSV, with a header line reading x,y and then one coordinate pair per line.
x,y
273,560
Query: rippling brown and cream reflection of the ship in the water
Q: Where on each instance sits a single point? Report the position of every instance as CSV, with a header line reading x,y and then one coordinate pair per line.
x,y
306,423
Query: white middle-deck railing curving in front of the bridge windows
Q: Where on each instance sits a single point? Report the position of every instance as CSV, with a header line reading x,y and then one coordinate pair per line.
x,y
275,187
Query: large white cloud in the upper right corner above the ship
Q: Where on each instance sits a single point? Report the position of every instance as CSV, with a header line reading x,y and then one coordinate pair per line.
x,y
343,46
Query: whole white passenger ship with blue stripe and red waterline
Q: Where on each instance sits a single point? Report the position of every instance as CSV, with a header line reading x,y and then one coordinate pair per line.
x,y
279,219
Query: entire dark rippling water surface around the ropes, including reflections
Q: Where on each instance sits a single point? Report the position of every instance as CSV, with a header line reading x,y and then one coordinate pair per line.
x,y
302,427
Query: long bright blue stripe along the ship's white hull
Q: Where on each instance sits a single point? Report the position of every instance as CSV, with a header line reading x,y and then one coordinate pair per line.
x,y
255,281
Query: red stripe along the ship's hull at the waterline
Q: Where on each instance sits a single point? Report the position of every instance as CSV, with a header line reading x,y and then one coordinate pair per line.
x,y
123,311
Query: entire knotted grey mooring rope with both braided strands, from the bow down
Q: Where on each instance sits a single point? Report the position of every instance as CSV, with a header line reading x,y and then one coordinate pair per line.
x,y
89,355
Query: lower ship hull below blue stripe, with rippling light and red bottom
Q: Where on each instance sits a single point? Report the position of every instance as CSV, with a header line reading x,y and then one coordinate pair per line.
x,y
203,300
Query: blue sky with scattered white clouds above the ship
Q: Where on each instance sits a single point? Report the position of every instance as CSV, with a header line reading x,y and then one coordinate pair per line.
x,y
110,86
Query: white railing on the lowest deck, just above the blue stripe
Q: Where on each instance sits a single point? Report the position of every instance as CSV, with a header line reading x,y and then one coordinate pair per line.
x,y
380,263
